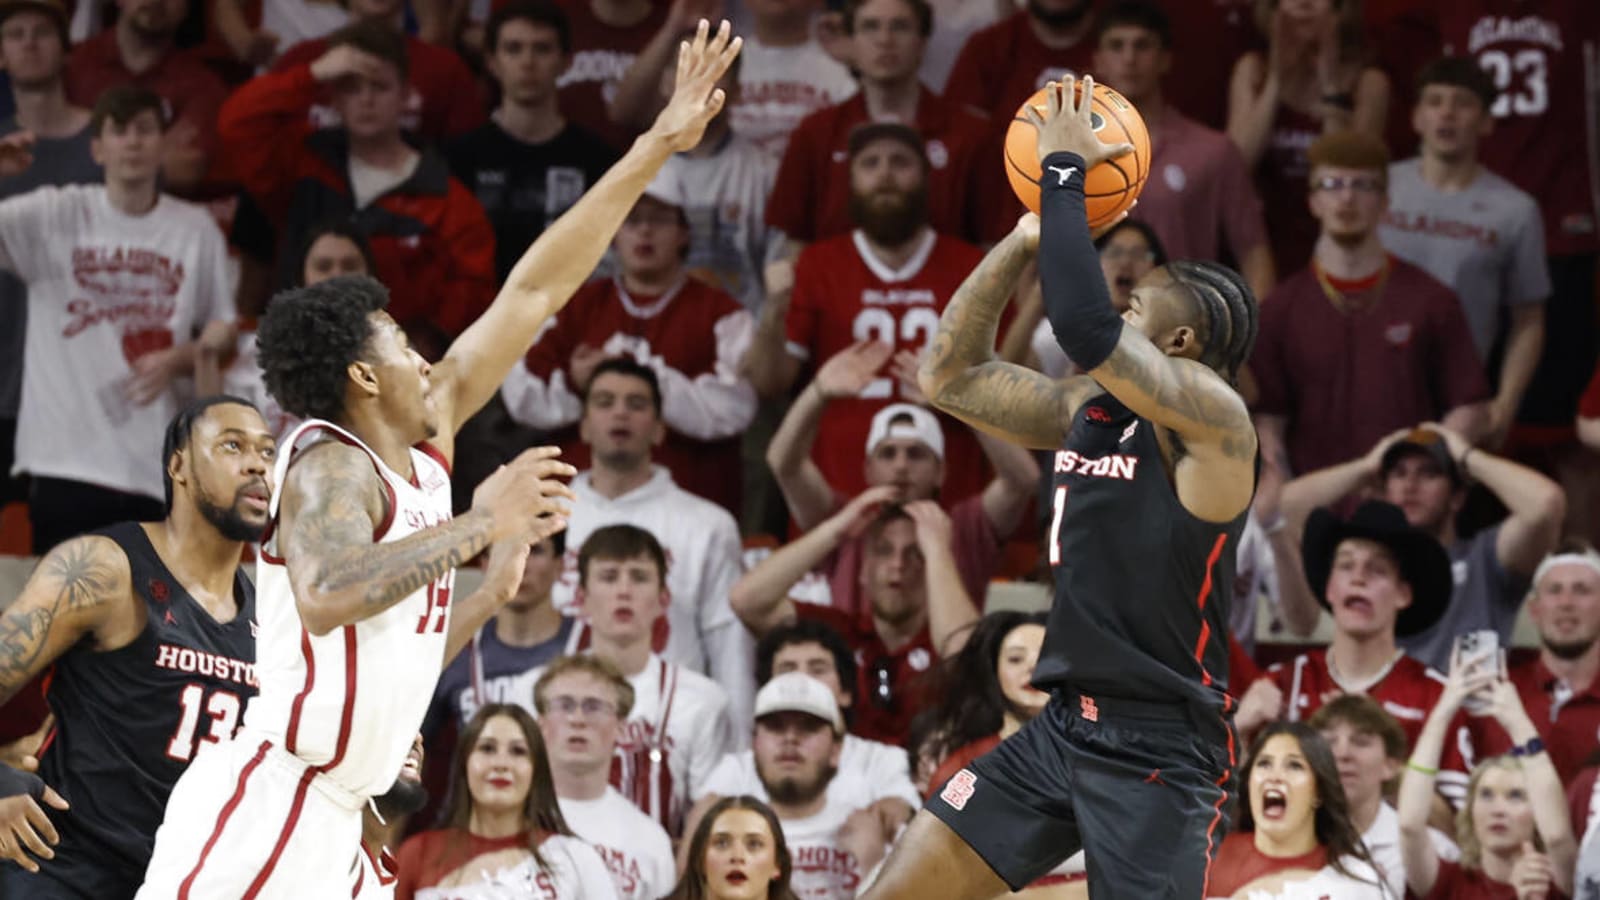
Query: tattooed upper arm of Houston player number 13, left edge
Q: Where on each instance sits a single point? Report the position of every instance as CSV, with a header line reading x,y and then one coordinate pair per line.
x,y
81,589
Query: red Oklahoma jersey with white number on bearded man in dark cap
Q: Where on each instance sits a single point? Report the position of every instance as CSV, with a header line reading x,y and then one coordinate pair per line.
x,y
844,295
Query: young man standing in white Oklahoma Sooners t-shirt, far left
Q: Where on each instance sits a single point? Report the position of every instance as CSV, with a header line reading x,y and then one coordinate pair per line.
x,y
124,286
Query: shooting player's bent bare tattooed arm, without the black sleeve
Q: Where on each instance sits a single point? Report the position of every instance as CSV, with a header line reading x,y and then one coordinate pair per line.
x,y
962,376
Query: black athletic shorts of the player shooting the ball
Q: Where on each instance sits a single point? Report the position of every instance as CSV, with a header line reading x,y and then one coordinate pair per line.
x,y
1142,789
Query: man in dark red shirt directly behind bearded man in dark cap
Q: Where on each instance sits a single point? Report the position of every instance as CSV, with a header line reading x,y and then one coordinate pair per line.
x,y
887,38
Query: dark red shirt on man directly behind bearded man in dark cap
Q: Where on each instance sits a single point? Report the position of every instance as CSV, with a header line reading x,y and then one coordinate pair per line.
x,y
810,199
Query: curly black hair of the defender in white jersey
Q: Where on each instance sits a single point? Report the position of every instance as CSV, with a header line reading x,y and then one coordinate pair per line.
x,y
310,339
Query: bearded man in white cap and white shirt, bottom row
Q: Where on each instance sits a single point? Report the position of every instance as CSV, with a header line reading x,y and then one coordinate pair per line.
x,y
798,742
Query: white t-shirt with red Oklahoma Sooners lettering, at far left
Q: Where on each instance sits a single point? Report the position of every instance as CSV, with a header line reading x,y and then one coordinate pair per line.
x,y
105,291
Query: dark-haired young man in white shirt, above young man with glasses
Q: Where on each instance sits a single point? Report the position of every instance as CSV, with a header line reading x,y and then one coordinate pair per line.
x,y
678,728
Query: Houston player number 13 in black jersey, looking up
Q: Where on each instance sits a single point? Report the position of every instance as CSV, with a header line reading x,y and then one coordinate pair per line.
x,y
151,633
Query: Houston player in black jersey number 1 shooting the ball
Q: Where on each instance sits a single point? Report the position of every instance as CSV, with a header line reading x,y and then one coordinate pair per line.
x,y
1154,473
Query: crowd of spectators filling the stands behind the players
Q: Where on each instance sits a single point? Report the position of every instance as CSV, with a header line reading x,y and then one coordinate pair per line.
x,y
766,624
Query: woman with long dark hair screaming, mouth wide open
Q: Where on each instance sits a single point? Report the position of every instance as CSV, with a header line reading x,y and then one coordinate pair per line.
x,y
1295,834
